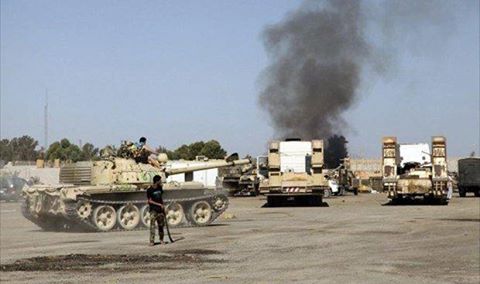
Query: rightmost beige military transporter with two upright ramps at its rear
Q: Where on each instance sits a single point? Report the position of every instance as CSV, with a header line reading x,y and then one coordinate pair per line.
x,y
410,170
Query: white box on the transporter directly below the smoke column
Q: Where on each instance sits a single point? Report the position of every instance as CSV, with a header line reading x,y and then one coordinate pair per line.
x,y
293,155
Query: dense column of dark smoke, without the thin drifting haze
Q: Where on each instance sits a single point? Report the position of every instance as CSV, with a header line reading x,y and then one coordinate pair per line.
x,y
317,54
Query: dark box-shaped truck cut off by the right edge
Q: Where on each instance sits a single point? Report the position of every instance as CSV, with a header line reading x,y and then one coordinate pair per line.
x,y
469,176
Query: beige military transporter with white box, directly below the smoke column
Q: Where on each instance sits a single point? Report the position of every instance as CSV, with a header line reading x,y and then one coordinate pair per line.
x,y
295,172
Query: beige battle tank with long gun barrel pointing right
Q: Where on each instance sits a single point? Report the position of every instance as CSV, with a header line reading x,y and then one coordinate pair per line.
x,y
110,195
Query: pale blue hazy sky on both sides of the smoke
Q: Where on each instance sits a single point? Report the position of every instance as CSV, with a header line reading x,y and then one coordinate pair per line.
x,y
182,71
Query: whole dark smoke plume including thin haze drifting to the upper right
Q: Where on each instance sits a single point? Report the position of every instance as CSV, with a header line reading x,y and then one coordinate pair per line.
x,y
319,52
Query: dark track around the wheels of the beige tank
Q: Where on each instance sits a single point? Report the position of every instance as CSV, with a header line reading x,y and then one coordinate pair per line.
x,y
72,221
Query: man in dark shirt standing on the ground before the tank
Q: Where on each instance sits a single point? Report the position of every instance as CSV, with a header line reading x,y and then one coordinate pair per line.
x,y
157,209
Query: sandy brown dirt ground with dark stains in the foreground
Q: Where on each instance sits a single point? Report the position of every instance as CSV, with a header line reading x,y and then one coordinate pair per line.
x,y
355,240
